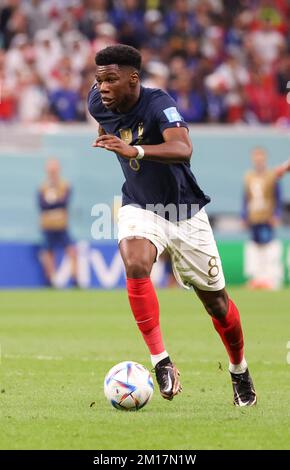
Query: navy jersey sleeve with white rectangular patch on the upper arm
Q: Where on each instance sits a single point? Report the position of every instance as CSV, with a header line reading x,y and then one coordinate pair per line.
x,y
166,113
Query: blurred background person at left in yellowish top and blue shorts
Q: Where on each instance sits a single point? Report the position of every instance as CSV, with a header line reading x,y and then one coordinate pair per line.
x,y
53,201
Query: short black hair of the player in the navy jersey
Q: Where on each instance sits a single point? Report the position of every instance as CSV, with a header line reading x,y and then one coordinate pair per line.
x,y
120,54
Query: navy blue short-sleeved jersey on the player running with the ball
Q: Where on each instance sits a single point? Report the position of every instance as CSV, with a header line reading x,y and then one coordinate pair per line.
x,y
149,183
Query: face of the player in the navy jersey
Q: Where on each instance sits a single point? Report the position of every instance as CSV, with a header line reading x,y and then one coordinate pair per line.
x,y
115,85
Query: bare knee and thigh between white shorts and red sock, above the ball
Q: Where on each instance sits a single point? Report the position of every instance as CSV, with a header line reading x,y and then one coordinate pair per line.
x,y
138,254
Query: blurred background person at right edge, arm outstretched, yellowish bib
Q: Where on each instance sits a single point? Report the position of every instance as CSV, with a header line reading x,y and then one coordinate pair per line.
x,y
261,213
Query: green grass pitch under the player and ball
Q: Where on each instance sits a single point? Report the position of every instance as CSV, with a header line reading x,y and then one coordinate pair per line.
x,y
57,347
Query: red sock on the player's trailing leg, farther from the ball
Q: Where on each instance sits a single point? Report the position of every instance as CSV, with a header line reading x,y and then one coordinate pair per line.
x,y
230,330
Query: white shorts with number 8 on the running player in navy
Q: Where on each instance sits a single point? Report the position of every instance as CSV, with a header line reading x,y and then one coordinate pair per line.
x,y
190,243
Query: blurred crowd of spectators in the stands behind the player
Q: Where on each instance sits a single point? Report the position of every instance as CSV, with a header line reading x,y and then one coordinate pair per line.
x,y
223,61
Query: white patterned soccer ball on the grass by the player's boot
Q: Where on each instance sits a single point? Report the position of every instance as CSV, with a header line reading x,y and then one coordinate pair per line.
x,y
128,386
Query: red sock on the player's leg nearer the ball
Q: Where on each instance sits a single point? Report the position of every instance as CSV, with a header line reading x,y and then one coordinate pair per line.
x,y
145,307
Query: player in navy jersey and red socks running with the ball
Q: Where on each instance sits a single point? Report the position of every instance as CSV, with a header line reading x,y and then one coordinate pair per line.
x,y
163,207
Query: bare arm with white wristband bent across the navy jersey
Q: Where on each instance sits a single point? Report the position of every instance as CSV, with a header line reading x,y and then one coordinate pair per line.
x,y
176,148
